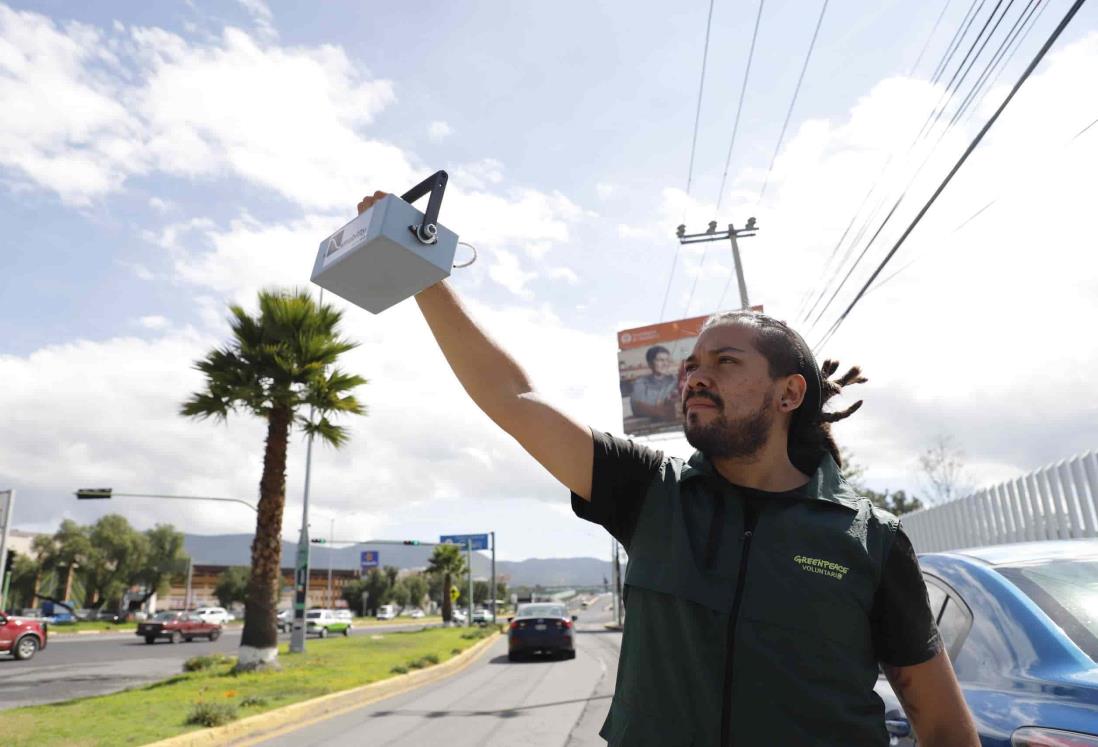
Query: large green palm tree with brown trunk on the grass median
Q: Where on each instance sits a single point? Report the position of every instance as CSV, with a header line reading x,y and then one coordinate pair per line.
x,y
276,365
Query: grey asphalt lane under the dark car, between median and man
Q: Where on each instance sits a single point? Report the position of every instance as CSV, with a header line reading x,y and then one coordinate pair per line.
x,y
494,703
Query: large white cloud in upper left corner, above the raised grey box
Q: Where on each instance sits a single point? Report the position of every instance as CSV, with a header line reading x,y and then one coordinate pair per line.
x,y
88,108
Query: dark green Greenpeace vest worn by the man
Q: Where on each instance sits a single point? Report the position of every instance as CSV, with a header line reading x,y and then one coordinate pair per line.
x,y
767,637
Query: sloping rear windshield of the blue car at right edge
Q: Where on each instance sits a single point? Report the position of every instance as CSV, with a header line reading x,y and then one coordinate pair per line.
x,y
1068,593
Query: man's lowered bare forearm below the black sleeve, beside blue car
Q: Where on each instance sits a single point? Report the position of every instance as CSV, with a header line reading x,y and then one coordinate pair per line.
x,y
932,698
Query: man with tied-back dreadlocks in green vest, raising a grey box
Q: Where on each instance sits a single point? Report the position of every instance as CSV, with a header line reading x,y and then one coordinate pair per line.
x,y
761,593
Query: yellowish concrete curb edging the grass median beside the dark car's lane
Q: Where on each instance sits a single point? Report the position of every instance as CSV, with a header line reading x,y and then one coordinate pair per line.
x,y
298,716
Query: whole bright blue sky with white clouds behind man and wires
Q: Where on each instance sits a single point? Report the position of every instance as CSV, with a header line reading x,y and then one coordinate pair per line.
x,y
161,161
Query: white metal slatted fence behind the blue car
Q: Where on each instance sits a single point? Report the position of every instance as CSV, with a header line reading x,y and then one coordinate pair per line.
x,y
1057,503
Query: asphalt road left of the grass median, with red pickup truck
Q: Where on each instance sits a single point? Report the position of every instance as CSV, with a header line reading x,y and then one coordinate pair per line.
x,y
76,666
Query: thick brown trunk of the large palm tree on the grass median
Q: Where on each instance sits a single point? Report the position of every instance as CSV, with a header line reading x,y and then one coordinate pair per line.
x,y
260,640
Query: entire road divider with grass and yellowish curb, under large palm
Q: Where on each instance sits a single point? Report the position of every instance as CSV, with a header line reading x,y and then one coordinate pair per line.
x,y
333,676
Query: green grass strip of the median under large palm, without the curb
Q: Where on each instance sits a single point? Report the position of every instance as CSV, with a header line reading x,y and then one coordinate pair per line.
x,y
215,696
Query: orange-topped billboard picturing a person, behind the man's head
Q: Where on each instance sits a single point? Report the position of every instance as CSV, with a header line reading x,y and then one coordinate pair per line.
x,y
651,373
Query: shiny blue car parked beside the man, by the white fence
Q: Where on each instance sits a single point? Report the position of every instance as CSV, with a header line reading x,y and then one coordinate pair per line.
x,y
1021,623
